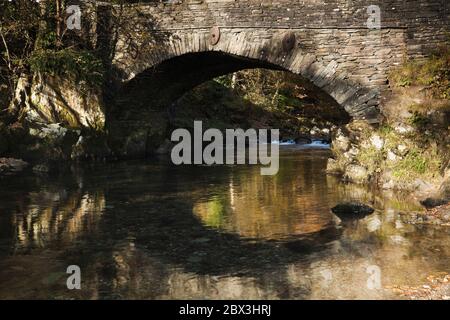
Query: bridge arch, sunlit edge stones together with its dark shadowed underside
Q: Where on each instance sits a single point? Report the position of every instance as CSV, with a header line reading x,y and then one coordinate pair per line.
x,y
152,78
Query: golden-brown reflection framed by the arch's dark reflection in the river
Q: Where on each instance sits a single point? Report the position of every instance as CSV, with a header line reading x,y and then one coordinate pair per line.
x,y
270,208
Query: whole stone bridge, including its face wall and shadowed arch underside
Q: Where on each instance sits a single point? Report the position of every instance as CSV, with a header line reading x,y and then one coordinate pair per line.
x,y
161,49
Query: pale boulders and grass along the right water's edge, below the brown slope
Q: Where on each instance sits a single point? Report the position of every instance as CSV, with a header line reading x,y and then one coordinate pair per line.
x,y
398,156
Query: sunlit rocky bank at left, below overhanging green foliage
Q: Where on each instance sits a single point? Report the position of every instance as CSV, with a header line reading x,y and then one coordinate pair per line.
x,y
52,120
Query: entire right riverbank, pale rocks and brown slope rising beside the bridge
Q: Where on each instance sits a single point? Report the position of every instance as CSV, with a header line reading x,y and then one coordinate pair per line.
x,y
410,148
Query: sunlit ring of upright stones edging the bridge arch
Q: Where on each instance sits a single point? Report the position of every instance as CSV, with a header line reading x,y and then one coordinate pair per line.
x,y
280,50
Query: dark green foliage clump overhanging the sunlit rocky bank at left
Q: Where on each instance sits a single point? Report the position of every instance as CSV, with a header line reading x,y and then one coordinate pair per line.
x,y
79,65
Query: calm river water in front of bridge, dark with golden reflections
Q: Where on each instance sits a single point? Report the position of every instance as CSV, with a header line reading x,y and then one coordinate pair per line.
x,y
151,230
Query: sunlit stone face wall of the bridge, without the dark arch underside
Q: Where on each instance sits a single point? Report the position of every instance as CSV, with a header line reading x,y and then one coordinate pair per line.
x,y
328,42
